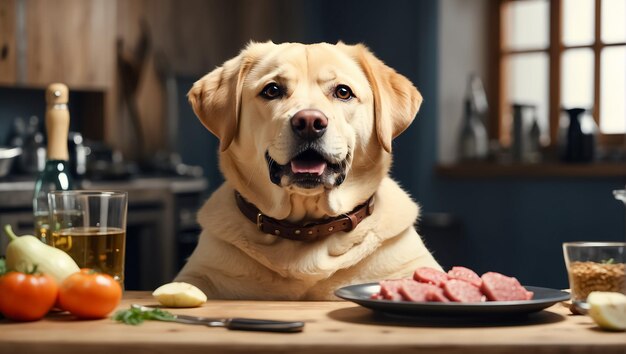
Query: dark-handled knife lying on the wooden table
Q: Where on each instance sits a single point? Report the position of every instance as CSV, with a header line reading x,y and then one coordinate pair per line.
x,y
236,323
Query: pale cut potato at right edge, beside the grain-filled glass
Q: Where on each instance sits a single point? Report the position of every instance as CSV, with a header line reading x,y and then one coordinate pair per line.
x,y
608,309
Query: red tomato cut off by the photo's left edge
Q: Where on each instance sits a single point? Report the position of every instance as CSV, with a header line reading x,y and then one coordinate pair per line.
x,y
27,297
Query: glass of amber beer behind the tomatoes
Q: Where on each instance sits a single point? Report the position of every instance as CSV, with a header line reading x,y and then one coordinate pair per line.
x,y
91,227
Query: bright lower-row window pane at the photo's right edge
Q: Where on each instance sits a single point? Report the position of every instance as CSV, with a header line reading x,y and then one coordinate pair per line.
x,y
613,90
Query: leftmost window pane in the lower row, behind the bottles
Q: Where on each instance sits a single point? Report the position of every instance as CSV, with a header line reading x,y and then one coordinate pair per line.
x,y
527,78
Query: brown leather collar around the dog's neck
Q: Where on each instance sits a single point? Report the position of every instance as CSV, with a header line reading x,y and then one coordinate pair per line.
x,y
310,231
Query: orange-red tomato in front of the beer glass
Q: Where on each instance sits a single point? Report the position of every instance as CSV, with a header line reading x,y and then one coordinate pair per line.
x,y
87,294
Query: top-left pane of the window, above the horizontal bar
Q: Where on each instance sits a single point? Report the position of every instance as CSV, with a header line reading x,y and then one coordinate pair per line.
x,y
526,24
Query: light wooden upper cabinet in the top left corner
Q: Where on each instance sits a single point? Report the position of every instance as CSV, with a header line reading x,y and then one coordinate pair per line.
x,y
72,41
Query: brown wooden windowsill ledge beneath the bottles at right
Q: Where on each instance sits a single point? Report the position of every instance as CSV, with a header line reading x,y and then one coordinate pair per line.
x,y
493,170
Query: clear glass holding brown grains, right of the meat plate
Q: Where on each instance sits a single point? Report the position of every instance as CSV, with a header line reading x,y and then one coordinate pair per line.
x,y
595,266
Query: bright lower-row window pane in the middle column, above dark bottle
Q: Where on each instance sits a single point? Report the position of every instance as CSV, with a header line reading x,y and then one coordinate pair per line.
x,y
577,78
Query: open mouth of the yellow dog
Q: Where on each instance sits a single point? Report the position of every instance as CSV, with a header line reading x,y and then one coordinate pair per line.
x,y
308,169
